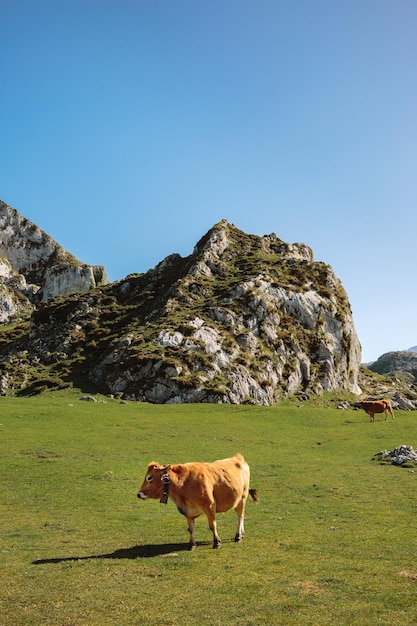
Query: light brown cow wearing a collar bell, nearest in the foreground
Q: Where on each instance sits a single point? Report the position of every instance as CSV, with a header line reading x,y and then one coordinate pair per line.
x,y
198,488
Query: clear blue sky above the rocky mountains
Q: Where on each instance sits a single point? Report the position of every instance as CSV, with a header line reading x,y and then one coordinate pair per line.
x,y
130,127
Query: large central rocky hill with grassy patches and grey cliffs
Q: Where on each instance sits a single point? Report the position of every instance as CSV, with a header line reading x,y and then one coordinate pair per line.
x,y
242,319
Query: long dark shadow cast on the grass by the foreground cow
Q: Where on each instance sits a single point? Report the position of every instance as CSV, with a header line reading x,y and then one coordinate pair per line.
x,y
135,552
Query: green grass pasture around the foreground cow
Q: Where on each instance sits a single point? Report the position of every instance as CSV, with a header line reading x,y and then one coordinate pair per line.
x,y
332,540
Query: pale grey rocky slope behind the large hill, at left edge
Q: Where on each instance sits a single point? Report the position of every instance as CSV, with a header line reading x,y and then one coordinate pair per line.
x,y
34,267
